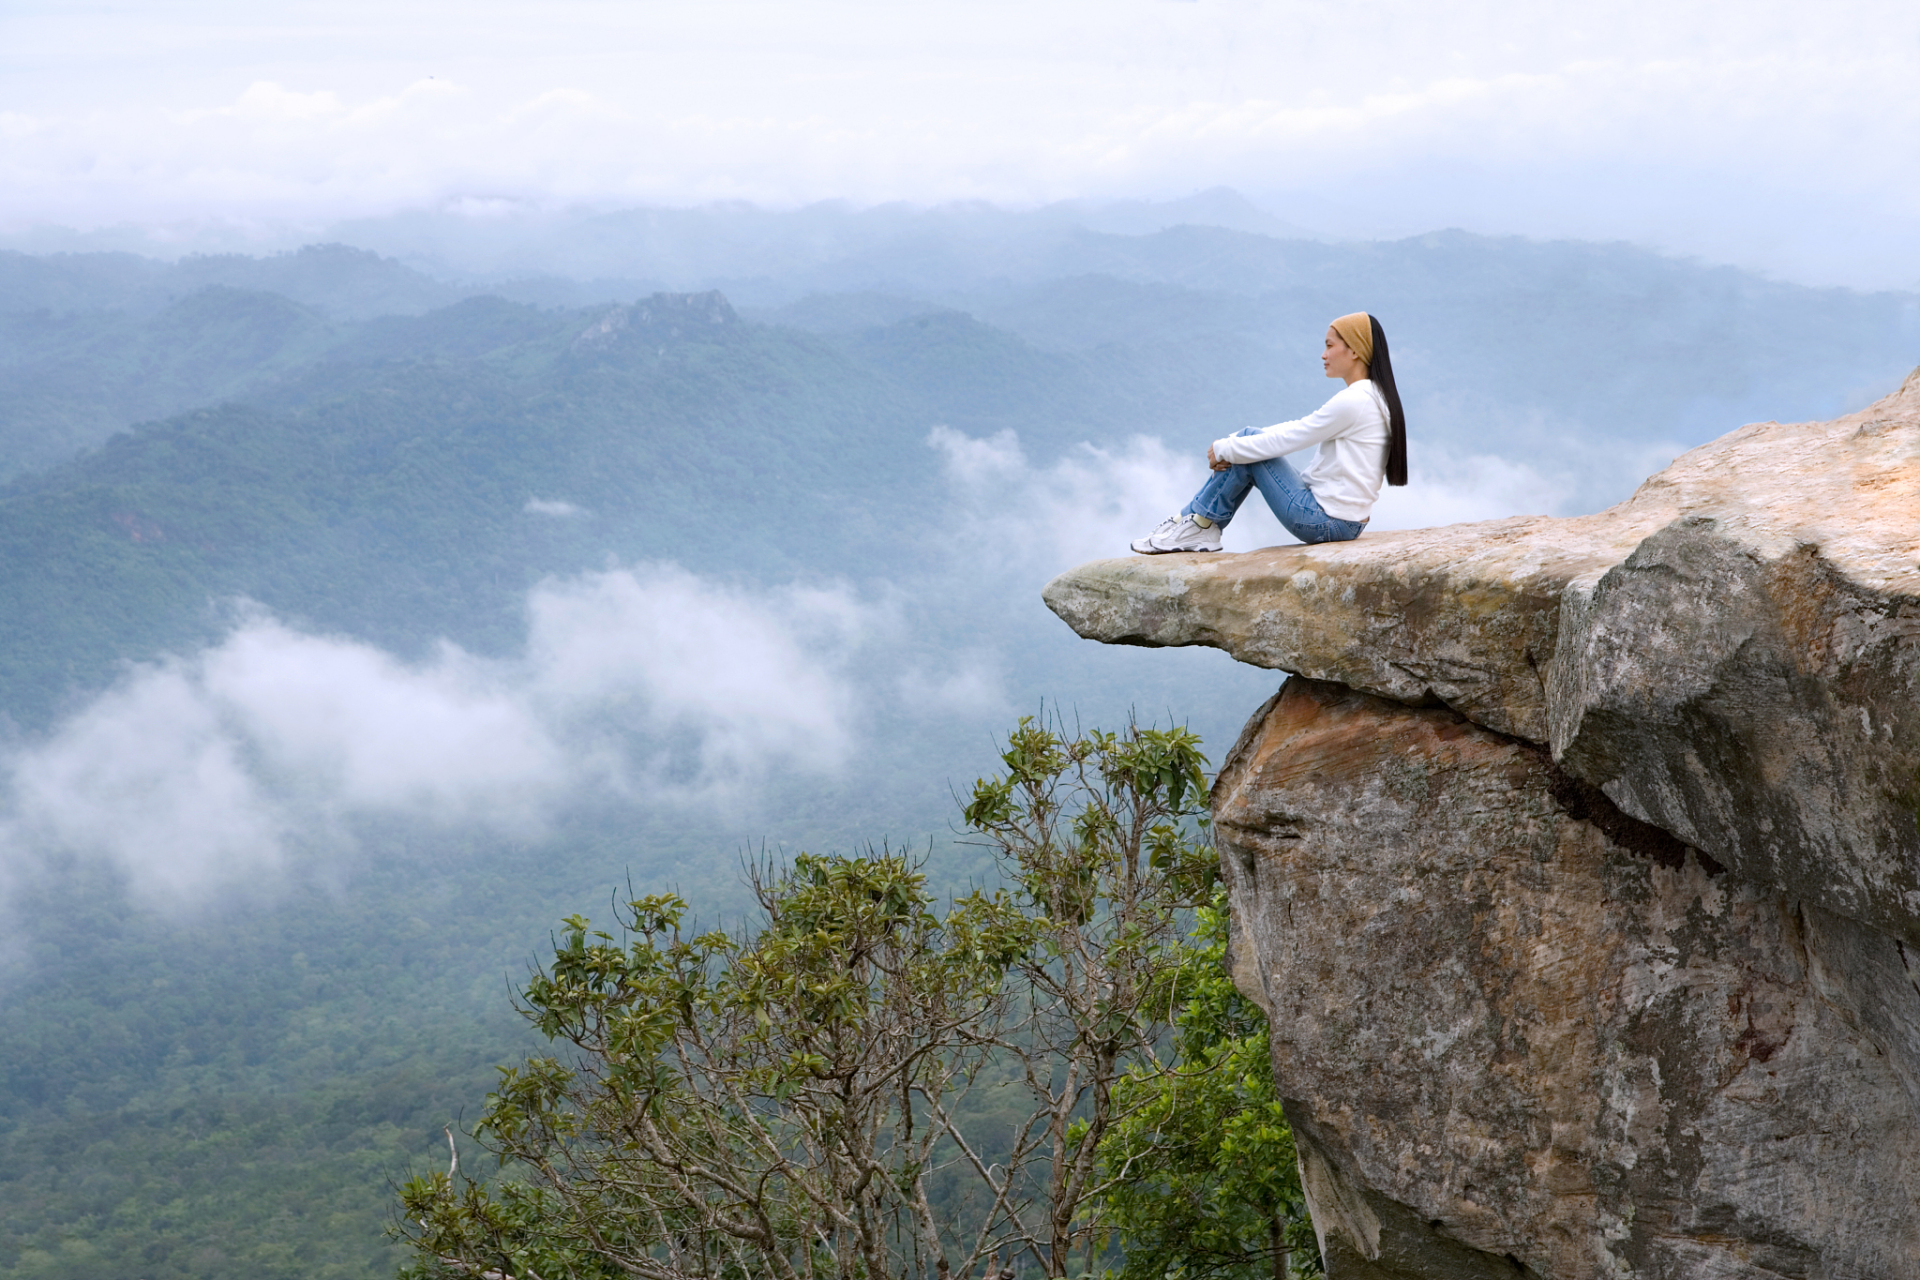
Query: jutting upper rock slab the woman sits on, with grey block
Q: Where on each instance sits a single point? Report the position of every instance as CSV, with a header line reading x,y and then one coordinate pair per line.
x,y
1731,655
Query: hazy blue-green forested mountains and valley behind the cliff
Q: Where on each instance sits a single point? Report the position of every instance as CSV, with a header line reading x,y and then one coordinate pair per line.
x,y
402,456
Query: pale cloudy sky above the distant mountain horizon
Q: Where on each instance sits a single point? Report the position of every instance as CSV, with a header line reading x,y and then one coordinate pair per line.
x,y
1777,137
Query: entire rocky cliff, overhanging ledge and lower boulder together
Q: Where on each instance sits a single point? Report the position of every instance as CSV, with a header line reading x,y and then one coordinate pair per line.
x,y
1581,870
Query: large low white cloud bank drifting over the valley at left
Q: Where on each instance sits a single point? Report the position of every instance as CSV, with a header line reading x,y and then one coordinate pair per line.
x,y
644,684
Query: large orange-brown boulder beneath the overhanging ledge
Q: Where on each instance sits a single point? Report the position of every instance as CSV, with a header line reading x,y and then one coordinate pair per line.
x,y
1524,1033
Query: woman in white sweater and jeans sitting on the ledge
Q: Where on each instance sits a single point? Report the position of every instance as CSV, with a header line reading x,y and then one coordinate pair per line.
x,y
1362,439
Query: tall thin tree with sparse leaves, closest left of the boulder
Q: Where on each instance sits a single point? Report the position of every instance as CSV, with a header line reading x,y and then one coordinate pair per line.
x,y
1101,863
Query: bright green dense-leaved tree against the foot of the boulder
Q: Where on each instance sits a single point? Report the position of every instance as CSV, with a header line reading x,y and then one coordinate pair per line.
x,y
1203,1177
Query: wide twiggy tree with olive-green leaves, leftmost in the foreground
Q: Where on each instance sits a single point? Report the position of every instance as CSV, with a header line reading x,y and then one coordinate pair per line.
x,y
732,1108
